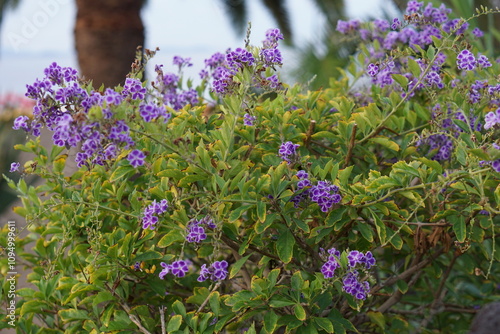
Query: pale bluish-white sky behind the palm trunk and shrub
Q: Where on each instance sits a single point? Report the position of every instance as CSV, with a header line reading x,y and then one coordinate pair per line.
x,y
39,32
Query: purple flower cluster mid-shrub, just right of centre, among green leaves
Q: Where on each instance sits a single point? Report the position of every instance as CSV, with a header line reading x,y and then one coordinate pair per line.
x,y
323,193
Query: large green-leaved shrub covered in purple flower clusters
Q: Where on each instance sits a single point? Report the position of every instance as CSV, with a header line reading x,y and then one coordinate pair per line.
x,y
209,210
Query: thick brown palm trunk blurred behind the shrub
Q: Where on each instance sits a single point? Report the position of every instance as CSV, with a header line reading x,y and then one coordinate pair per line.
x,y
107,34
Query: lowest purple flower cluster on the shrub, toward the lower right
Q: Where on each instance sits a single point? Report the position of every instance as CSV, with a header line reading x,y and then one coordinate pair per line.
x,y
351,280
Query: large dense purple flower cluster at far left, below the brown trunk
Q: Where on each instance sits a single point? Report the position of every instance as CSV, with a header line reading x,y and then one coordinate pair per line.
x,y
80,118
